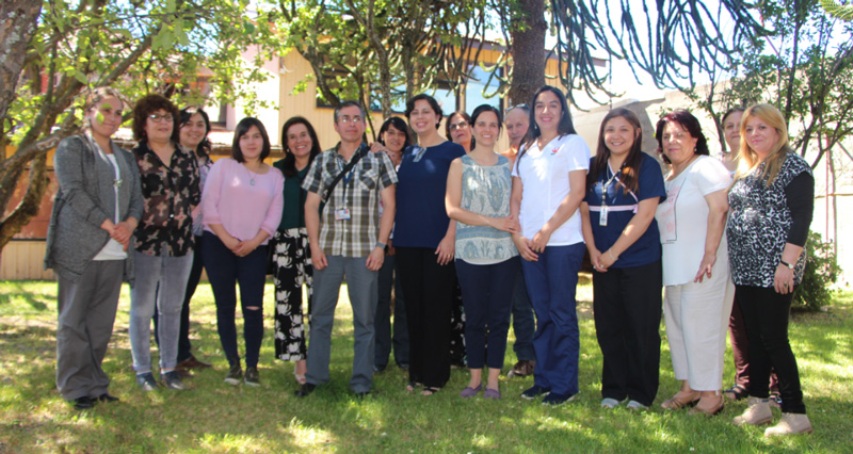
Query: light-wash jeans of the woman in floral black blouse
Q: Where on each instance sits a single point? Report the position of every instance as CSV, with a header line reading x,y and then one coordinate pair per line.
x,y
170,275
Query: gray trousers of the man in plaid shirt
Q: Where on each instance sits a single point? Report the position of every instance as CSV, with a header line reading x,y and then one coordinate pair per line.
x,y
362,289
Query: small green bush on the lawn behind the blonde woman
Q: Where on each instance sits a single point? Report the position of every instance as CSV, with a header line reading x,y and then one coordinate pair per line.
x,y
822,271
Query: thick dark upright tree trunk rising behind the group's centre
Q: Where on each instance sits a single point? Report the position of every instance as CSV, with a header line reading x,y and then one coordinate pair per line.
x,y
528,51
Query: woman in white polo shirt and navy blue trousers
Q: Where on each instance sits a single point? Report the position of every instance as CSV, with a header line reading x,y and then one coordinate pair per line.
x,y
547,188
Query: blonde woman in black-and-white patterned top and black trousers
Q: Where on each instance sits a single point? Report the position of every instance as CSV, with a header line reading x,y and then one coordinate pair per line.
x,y
771,204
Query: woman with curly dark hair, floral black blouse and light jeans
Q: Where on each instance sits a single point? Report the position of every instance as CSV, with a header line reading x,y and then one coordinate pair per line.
x,y
163,250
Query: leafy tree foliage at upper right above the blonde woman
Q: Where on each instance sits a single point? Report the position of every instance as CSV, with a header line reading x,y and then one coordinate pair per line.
x,y
803,66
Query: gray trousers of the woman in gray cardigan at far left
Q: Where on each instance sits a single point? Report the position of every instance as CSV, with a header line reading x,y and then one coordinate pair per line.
x,y
87,311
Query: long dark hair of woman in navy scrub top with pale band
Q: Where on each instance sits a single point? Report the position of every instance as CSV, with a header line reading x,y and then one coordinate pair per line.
x,y
631,167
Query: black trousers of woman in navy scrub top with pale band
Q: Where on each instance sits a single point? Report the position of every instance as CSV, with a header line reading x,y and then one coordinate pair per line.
x,y
627,305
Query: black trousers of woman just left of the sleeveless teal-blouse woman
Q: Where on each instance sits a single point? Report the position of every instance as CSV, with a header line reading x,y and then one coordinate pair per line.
x,y
429,289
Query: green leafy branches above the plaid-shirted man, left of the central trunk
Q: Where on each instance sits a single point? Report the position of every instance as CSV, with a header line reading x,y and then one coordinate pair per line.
x,y
370,49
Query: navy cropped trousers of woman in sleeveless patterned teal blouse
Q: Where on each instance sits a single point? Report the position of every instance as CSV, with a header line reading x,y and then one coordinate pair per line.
x,y
487,295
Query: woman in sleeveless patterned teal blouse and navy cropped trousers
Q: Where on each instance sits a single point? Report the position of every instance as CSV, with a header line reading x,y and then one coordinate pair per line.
x,y
478,191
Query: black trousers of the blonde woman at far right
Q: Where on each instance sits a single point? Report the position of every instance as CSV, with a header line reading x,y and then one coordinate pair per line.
x,y
765,315
